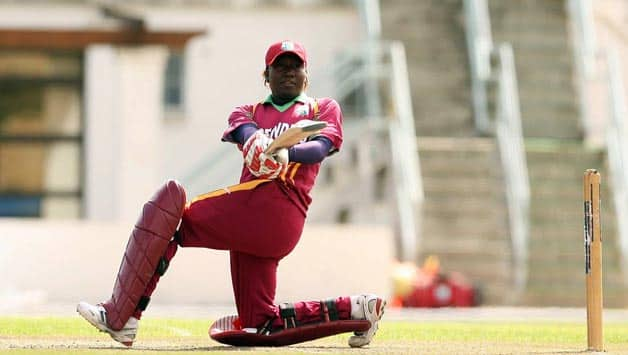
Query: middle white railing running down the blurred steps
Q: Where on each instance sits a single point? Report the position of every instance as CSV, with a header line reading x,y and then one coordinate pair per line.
x,y
506,125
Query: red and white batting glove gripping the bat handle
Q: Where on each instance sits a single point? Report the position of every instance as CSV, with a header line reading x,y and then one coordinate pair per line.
x,y
260,164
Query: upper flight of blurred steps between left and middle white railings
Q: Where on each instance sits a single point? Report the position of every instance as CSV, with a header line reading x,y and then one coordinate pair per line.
x,y
433,34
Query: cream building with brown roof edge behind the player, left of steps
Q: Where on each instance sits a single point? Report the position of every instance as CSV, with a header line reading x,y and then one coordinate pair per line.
x,y
100,103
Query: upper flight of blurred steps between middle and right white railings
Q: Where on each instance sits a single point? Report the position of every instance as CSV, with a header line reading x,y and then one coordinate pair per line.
x,y
538,32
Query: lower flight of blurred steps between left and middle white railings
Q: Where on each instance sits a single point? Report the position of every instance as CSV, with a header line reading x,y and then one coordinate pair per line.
x,y
464,220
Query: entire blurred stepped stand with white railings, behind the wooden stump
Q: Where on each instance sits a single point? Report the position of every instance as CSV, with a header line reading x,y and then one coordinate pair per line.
x,y
512,101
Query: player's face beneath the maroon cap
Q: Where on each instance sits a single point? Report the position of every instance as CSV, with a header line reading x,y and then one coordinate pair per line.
x,y
287,77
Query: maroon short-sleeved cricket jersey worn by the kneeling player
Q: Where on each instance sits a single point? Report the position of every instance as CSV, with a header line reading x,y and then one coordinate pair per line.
x,y
298,178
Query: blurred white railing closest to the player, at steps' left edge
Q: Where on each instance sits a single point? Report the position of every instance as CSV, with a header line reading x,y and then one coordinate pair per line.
x,y
378,70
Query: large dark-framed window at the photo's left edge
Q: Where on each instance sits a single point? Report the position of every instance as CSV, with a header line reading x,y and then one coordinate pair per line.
x,y
41,134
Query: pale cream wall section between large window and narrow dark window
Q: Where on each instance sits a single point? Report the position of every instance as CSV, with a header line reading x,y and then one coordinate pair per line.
x,y
123,128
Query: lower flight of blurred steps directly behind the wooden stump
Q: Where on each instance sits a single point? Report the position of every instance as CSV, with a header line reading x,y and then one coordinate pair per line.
x,y
556,250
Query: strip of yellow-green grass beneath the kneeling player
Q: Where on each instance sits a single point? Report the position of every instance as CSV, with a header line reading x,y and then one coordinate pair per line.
x,y
25,335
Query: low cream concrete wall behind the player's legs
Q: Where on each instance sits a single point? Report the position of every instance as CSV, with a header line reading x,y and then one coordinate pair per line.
x,y
65,262
